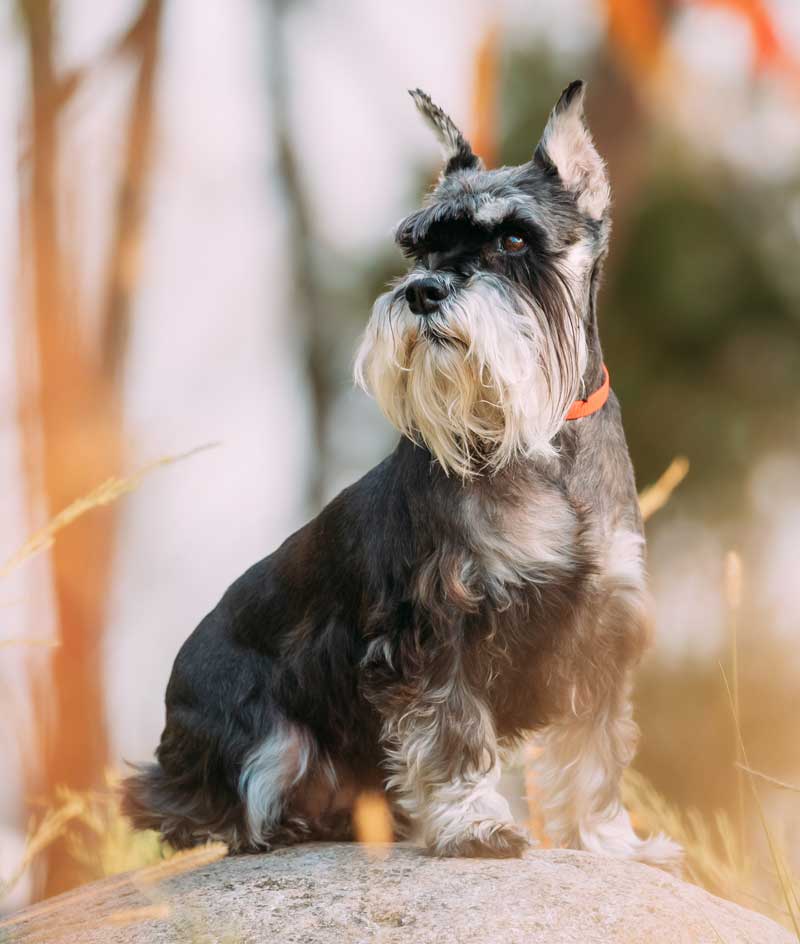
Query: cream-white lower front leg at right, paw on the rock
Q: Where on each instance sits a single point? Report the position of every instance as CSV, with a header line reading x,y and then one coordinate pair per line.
x,y
578,774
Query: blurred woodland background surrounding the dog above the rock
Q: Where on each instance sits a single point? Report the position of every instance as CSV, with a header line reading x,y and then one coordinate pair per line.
x,y
195,216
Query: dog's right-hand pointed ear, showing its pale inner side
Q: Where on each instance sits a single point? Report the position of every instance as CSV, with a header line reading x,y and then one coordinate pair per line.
x,y
567,149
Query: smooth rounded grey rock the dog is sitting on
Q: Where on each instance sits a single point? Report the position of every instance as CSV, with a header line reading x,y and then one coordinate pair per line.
x,y
336,893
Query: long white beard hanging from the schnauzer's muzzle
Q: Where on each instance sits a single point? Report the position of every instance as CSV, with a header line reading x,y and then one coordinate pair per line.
x,y
496,387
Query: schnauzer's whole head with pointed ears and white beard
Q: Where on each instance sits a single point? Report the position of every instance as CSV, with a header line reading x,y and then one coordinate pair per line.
x,y
479,350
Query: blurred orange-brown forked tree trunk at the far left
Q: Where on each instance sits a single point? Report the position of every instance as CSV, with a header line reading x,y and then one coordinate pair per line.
x,y
72,428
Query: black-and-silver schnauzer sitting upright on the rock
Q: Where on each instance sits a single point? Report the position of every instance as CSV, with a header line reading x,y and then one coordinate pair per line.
x,y
483,584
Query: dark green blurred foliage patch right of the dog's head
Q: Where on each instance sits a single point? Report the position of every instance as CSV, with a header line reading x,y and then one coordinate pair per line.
x,y
703,342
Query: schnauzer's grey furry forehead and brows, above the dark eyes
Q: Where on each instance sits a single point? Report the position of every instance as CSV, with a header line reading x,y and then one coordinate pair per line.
x,y
484,198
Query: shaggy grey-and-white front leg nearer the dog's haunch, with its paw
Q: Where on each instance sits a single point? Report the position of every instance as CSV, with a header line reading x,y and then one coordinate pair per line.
x,y
442,755
